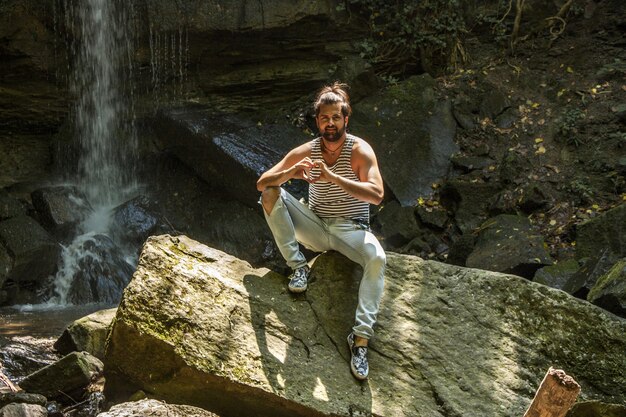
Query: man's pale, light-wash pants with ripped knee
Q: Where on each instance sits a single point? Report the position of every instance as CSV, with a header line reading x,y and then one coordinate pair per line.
x,y
292,221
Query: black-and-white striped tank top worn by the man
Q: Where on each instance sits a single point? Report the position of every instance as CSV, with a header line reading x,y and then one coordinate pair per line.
x,y
329,200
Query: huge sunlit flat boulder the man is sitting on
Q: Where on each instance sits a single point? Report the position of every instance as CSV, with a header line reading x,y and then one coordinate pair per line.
x,y
200,327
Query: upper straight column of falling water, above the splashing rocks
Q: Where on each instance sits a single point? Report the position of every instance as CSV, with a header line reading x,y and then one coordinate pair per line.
x,y
102,82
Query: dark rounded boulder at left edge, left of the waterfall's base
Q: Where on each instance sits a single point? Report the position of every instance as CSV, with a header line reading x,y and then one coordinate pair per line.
x,y
35,253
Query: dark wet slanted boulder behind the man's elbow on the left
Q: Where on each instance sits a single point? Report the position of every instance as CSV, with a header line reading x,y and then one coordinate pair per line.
x,y
227,151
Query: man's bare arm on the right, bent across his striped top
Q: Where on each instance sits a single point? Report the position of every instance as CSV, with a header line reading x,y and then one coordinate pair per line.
x,y
364,163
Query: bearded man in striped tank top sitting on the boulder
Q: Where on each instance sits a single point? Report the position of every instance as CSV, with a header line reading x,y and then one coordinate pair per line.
x,y
344,180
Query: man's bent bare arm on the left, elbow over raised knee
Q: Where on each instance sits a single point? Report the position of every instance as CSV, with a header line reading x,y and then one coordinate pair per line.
x,y
295,165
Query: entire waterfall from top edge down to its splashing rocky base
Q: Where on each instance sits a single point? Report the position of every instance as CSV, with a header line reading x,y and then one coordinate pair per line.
x,y
100,58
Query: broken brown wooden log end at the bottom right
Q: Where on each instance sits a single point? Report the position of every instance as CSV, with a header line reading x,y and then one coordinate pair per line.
x,y
555,396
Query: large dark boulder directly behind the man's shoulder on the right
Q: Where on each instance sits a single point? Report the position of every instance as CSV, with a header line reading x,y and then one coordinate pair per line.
x,y
412,134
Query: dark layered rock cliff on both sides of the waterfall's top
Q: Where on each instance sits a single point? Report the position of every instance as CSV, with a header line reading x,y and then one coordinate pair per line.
x,y
233,55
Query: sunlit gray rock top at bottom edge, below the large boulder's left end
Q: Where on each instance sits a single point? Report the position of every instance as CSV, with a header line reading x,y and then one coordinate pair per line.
x,y
155,408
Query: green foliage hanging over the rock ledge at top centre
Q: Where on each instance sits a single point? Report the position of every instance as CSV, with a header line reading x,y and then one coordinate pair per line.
x,y
407,35
